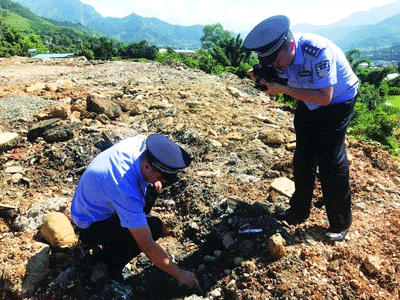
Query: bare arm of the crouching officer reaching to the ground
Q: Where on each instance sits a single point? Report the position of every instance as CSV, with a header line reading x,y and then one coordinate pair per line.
x,y
160,259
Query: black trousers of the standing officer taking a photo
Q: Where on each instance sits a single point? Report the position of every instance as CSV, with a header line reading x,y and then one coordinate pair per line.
x,y
320,142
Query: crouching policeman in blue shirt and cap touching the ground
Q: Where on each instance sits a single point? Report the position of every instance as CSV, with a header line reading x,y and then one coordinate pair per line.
x,y
108,204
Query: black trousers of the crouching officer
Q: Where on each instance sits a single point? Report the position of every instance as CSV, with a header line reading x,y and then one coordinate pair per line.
x,y
119,246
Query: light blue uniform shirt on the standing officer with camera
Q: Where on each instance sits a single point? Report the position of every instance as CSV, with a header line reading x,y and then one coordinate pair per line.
x,y
319,63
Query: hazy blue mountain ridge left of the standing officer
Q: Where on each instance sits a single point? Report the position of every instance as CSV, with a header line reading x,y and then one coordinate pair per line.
x,y
132,28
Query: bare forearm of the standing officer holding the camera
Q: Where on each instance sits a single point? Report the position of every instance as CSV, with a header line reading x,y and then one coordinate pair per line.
x,y
318,96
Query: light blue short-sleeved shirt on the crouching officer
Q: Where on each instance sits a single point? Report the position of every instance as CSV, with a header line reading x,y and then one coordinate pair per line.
x,y
113,184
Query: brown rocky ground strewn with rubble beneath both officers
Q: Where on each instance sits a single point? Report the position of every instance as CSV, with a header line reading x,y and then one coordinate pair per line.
x,y
56,115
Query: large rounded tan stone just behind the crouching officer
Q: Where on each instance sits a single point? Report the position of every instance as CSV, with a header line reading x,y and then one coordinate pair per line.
x,y
58,231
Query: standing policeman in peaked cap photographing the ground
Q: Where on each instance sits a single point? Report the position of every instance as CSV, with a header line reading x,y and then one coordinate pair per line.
x,y
319,75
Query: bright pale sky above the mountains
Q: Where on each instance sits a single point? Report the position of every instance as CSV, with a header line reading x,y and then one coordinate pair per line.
x,y
235,15
